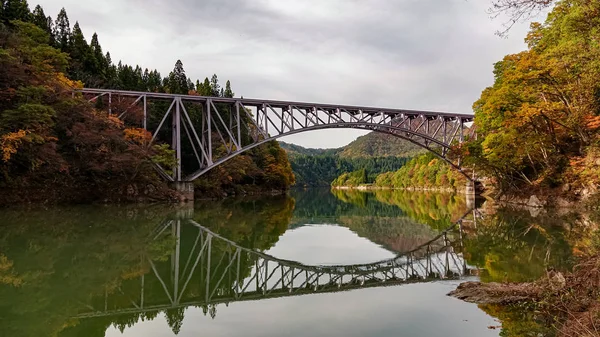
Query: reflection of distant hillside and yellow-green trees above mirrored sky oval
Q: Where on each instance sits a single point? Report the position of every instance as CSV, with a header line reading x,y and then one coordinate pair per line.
x,y
384,217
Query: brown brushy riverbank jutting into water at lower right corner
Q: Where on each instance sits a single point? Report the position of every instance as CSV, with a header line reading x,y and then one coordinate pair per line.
x,y
568,303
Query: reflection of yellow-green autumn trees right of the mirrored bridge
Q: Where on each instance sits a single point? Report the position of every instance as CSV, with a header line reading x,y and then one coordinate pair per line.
x,y
514,246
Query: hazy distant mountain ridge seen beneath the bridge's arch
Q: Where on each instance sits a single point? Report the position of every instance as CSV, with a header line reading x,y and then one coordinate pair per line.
x,y
373,144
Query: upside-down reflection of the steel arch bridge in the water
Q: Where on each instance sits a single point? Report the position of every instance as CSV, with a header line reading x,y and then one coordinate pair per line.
x,y
216,270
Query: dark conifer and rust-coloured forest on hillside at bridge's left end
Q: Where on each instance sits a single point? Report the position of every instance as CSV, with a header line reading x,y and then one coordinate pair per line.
x,y
57,147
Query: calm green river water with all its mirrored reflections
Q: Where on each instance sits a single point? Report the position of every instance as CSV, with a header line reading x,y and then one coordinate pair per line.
x,y
314,263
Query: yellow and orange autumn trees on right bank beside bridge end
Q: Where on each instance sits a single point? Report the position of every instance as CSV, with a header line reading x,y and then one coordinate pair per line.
x,y
538,117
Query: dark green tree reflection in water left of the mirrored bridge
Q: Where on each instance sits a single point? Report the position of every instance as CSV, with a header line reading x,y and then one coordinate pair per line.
x,y
63,258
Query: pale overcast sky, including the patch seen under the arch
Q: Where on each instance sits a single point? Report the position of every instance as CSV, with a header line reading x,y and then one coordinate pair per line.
x,y
411,54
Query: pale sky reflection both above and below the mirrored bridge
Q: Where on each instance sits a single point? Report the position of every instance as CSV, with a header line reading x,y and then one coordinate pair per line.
x,y
410,310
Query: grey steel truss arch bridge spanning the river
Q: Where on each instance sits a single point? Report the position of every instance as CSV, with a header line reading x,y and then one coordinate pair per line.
x,y
217,135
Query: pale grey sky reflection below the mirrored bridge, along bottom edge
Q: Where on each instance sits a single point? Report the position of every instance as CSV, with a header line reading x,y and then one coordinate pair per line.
x,y
412,310
